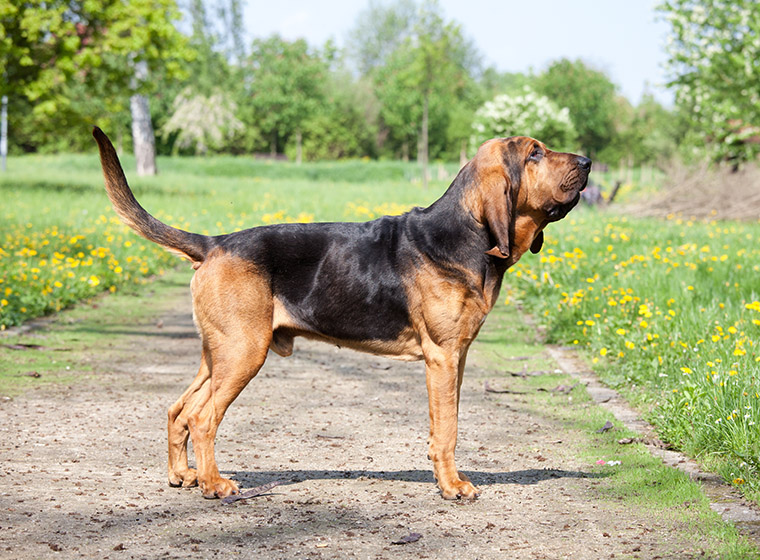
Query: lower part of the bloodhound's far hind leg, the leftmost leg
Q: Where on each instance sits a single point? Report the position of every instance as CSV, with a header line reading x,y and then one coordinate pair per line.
x,y
179,472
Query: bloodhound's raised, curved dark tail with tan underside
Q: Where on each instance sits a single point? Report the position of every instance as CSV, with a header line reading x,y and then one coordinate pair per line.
x,y
191,246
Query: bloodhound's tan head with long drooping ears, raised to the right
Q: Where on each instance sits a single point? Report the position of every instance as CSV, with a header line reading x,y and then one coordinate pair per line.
x,y
523,186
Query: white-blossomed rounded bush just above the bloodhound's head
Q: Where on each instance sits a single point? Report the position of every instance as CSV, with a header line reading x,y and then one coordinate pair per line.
x,y
524,114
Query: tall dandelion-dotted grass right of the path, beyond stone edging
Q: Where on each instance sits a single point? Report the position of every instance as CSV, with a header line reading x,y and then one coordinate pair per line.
x,y
668,313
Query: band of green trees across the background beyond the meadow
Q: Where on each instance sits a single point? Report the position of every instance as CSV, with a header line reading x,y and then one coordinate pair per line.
x,y
408,84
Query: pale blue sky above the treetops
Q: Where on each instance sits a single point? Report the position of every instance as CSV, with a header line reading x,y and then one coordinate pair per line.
x,y
623,38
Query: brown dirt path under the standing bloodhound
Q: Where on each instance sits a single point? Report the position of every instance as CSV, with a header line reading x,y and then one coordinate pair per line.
x,y
83,467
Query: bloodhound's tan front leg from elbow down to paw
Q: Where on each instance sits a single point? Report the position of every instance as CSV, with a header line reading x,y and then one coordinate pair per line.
x,y
442,375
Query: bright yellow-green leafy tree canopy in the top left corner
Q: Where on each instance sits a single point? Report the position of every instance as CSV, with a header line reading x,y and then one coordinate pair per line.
x,y
50,49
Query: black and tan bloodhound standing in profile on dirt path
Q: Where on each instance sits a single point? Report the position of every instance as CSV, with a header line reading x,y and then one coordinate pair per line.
x,y
414,287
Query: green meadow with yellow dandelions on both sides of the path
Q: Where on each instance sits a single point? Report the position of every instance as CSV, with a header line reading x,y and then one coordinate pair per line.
x,y
667,311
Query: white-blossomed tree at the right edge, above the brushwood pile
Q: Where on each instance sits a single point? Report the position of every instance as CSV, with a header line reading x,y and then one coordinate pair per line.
x,y
714,67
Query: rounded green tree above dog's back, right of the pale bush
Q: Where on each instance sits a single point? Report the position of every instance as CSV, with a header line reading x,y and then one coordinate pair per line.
x,y
286,80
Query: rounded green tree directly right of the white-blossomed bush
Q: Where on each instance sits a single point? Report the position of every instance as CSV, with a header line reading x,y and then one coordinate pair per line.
x,y
588,94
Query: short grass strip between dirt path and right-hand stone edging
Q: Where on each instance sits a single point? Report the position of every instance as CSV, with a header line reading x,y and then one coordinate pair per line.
x,y
640,481
